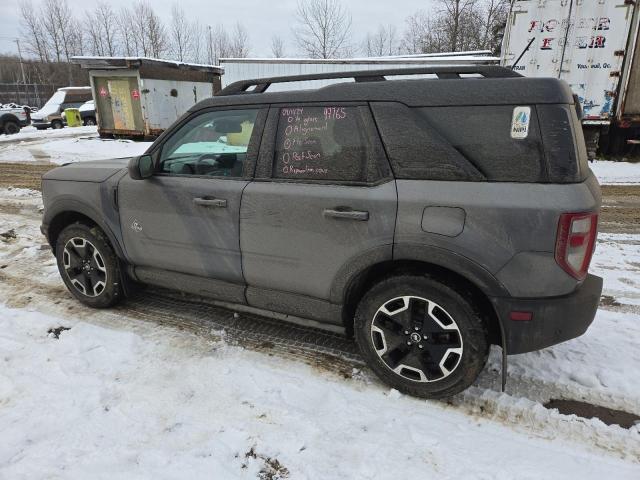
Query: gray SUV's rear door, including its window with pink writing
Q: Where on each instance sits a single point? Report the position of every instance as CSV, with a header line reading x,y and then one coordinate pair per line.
x,y
323,197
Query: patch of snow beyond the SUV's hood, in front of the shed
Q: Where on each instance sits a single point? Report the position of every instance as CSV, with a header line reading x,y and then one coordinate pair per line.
x,y
65,145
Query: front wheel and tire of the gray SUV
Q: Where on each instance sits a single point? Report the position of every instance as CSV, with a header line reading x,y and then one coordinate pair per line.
x,y
88,265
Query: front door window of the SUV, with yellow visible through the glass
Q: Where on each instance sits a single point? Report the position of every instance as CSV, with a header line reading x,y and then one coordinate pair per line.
x,y
211,144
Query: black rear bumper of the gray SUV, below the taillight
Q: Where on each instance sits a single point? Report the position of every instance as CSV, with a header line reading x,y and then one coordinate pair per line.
x,y
553,320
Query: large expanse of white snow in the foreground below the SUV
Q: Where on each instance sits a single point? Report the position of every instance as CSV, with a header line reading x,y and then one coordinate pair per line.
x,y
107,403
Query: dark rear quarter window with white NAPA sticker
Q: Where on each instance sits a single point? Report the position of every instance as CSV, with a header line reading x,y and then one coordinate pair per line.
x,y
464,143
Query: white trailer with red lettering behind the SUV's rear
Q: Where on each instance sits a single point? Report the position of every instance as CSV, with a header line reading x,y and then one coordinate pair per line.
x,y
592,45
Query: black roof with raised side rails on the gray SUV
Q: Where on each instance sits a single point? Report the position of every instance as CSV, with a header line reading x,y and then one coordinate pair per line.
x,y
497,86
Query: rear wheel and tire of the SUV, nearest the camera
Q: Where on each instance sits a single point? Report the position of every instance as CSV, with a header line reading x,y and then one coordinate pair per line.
x,y
426,355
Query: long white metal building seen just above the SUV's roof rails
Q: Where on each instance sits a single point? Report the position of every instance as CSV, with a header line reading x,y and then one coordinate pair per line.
x,y
248,68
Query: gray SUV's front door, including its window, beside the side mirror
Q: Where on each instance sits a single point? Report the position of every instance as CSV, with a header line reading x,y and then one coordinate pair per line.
x,y
185,218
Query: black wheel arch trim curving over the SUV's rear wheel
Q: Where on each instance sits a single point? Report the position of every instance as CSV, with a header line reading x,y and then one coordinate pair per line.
x,y
451,274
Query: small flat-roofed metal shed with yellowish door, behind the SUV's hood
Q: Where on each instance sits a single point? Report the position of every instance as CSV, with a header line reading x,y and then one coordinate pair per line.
x,y
137,96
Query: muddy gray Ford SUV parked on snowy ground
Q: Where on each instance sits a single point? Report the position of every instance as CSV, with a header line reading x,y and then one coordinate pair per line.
x,y
429,217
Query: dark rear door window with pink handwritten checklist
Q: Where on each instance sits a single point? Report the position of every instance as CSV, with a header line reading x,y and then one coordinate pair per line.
x,y
321,143
